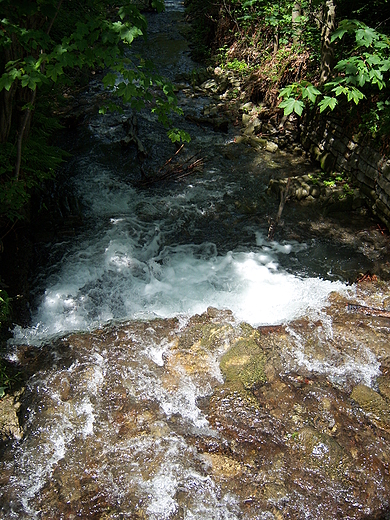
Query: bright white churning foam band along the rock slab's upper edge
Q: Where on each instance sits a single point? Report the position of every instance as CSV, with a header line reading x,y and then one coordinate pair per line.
x,y
178,281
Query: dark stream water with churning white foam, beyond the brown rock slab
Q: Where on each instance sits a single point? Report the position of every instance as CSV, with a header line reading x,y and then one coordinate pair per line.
x,y
177,248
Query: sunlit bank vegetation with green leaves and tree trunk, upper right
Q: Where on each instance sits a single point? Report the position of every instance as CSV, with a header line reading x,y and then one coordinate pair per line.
x,y
298,55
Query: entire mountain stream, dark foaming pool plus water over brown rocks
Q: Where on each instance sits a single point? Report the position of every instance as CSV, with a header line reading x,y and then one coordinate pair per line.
x,y
132,409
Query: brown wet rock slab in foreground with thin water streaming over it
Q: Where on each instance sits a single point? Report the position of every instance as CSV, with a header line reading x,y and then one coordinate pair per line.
x,y
164,419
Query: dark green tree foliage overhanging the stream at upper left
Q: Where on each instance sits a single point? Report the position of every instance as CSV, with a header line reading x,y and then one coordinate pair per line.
x,y
51,42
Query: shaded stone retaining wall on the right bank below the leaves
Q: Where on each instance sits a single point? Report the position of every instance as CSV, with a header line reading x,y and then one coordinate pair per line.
x,y
338,149
